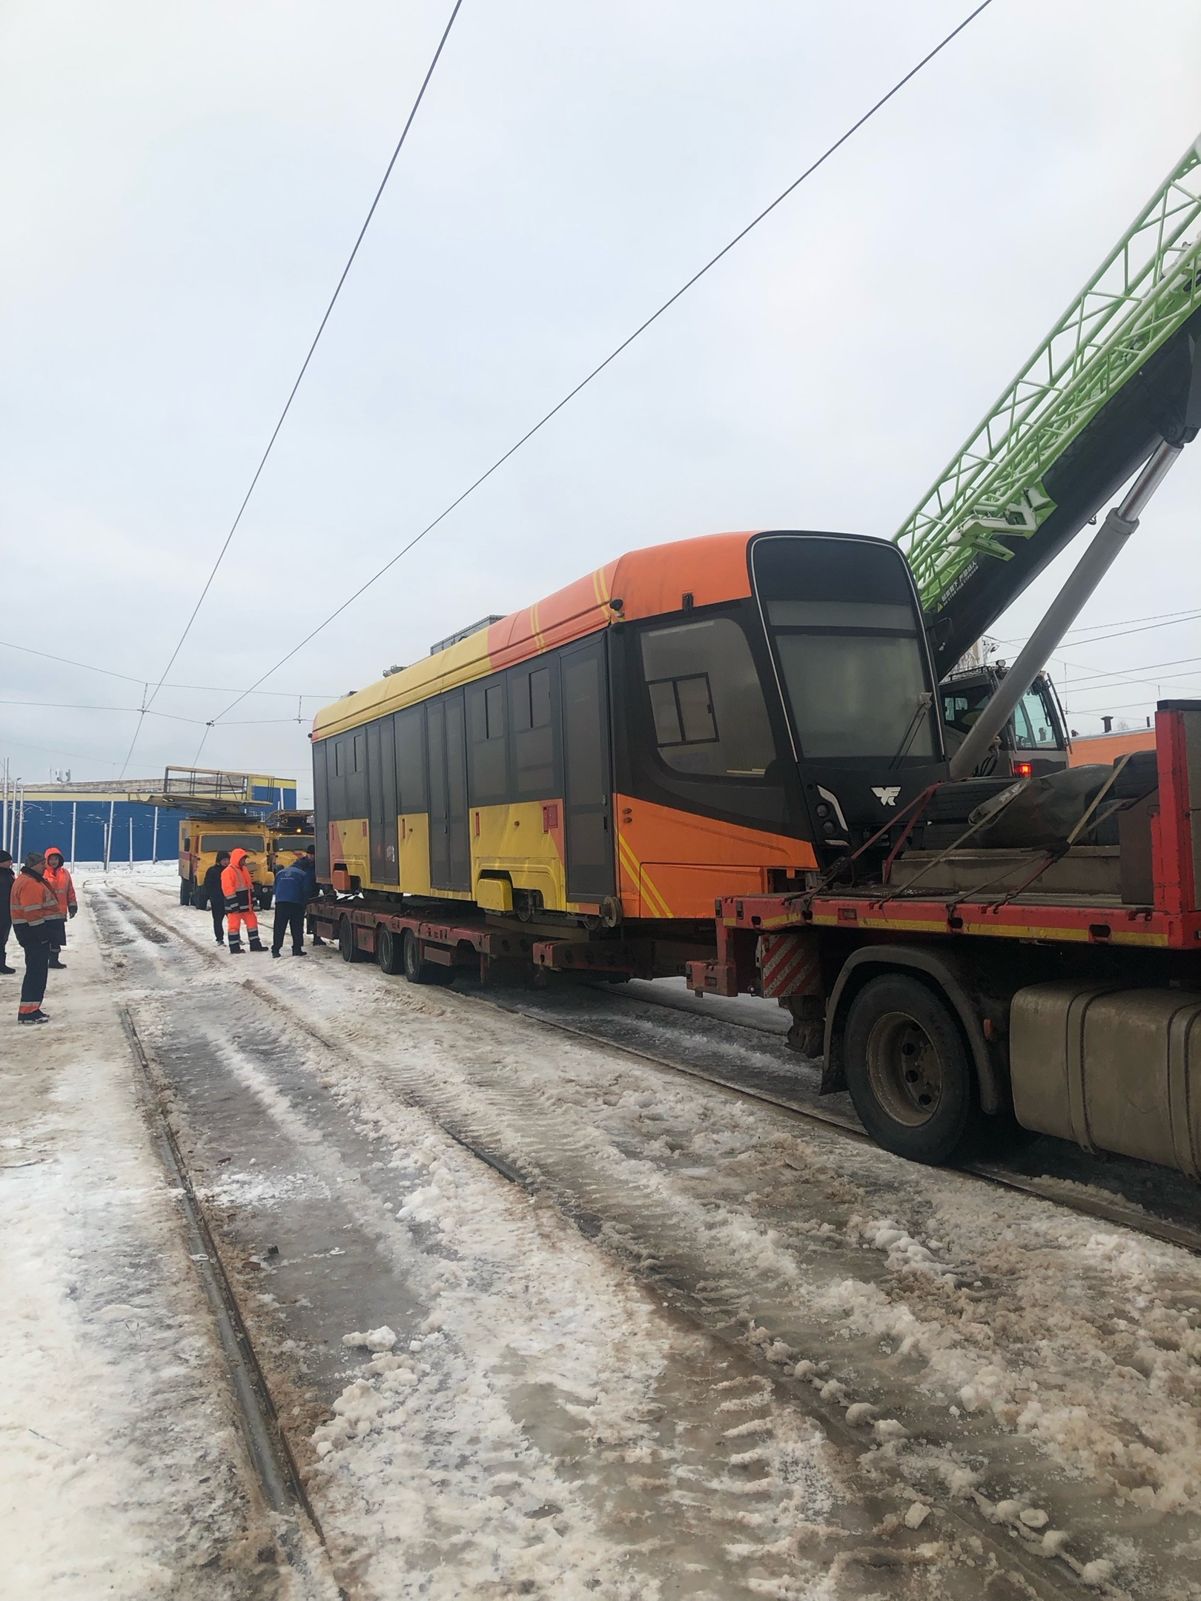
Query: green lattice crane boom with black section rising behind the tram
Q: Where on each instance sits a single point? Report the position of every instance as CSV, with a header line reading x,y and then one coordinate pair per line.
x,y
1111,382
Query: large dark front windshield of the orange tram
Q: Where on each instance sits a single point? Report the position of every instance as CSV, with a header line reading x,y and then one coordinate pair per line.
x,y
850,648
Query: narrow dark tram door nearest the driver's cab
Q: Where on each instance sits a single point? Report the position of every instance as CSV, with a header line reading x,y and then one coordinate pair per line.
x,y
588,772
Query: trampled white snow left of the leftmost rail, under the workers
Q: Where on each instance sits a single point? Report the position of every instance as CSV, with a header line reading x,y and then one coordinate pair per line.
x,y
121,1469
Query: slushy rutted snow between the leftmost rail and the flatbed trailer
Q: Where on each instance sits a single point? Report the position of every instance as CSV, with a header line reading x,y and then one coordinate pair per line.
x,y
702,1349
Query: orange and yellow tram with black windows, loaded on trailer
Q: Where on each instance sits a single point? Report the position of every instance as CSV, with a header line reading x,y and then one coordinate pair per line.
x,y
713,716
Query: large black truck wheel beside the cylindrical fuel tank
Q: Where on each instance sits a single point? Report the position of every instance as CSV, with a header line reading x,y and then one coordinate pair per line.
x,y
910,1073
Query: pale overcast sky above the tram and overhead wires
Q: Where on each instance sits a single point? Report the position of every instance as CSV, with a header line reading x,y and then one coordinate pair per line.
x,y
182,185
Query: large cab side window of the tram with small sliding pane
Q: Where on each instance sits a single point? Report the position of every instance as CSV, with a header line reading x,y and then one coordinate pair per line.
x,y
707,702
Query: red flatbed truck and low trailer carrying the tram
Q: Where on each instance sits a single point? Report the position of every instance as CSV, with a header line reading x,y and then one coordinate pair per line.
x,y
952,1014
